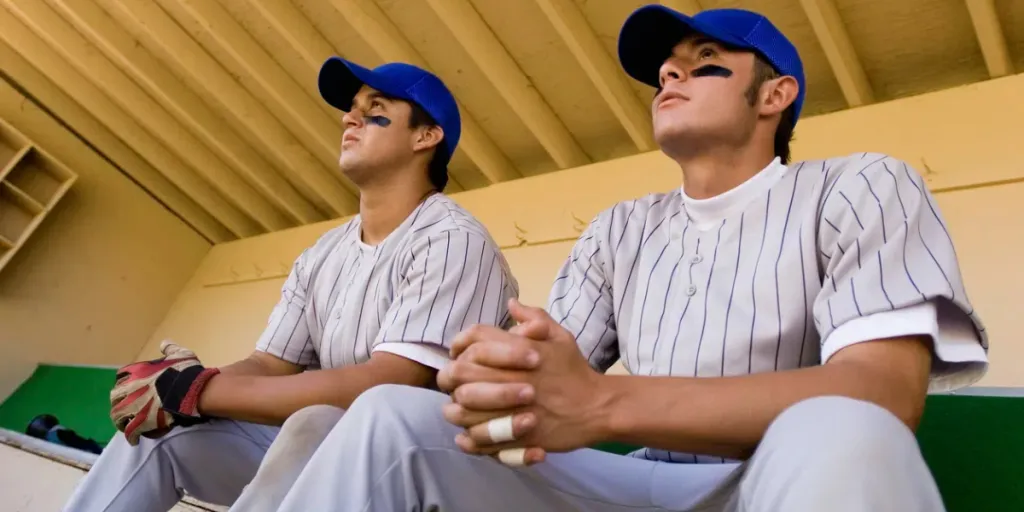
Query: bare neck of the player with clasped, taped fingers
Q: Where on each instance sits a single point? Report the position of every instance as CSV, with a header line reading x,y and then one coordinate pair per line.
x,y
717,170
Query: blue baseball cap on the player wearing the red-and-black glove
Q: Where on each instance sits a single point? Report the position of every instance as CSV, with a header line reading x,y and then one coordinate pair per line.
x,y
339,80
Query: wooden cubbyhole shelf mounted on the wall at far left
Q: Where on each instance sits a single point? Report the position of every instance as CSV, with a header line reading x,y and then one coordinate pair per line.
x,y
32,183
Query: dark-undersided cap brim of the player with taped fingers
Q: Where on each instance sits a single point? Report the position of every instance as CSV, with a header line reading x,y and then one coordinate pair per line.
x,y
651,33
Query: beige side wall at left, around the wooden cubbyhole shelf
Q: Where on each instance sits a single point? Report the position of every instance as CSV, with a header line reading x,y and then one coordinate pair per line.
x,y
101,273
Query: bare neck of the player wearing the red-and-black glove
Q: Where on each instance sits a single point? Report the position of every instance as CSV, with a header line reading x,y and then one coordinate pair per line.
x,y
385,208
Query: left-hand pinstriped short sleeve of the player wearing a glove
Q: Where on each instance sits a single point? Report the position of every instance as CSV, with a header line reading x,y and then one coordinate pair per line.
x,y
287,335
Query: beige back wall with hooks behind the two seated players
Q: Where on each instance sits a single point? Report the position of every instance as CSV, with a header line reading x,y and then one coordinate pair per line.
x,y
968,137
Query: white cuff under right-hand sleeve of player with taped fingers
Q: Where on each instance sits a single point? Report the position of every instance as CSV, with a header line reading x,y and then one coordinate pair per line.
x,y
959,359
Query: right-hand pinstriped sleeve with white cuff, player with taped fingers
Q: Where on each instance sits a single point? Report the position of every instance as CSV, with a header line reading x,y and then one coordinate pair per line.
x,y
891,270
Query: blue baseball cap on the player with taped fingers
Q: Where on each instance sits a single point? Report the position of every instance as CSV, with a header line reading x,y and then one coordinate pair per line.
x,y
652,32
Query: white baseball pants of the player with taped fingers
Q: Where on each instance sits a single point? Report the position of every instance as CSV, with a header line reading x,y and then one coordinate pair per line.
x,y
395,452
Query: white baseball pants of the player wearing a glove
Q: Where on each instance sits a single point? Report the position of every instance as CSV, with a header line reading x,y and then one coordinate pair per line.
x,y
222,462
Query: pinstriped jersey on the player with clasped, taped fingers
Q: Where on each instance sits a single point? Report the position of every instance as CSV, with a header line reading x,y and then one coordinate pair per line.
x,y
778,274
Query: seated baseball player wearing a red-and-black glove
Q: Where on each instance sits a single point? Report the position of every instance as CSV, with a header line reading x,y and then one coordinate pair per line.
x,y
376,301
